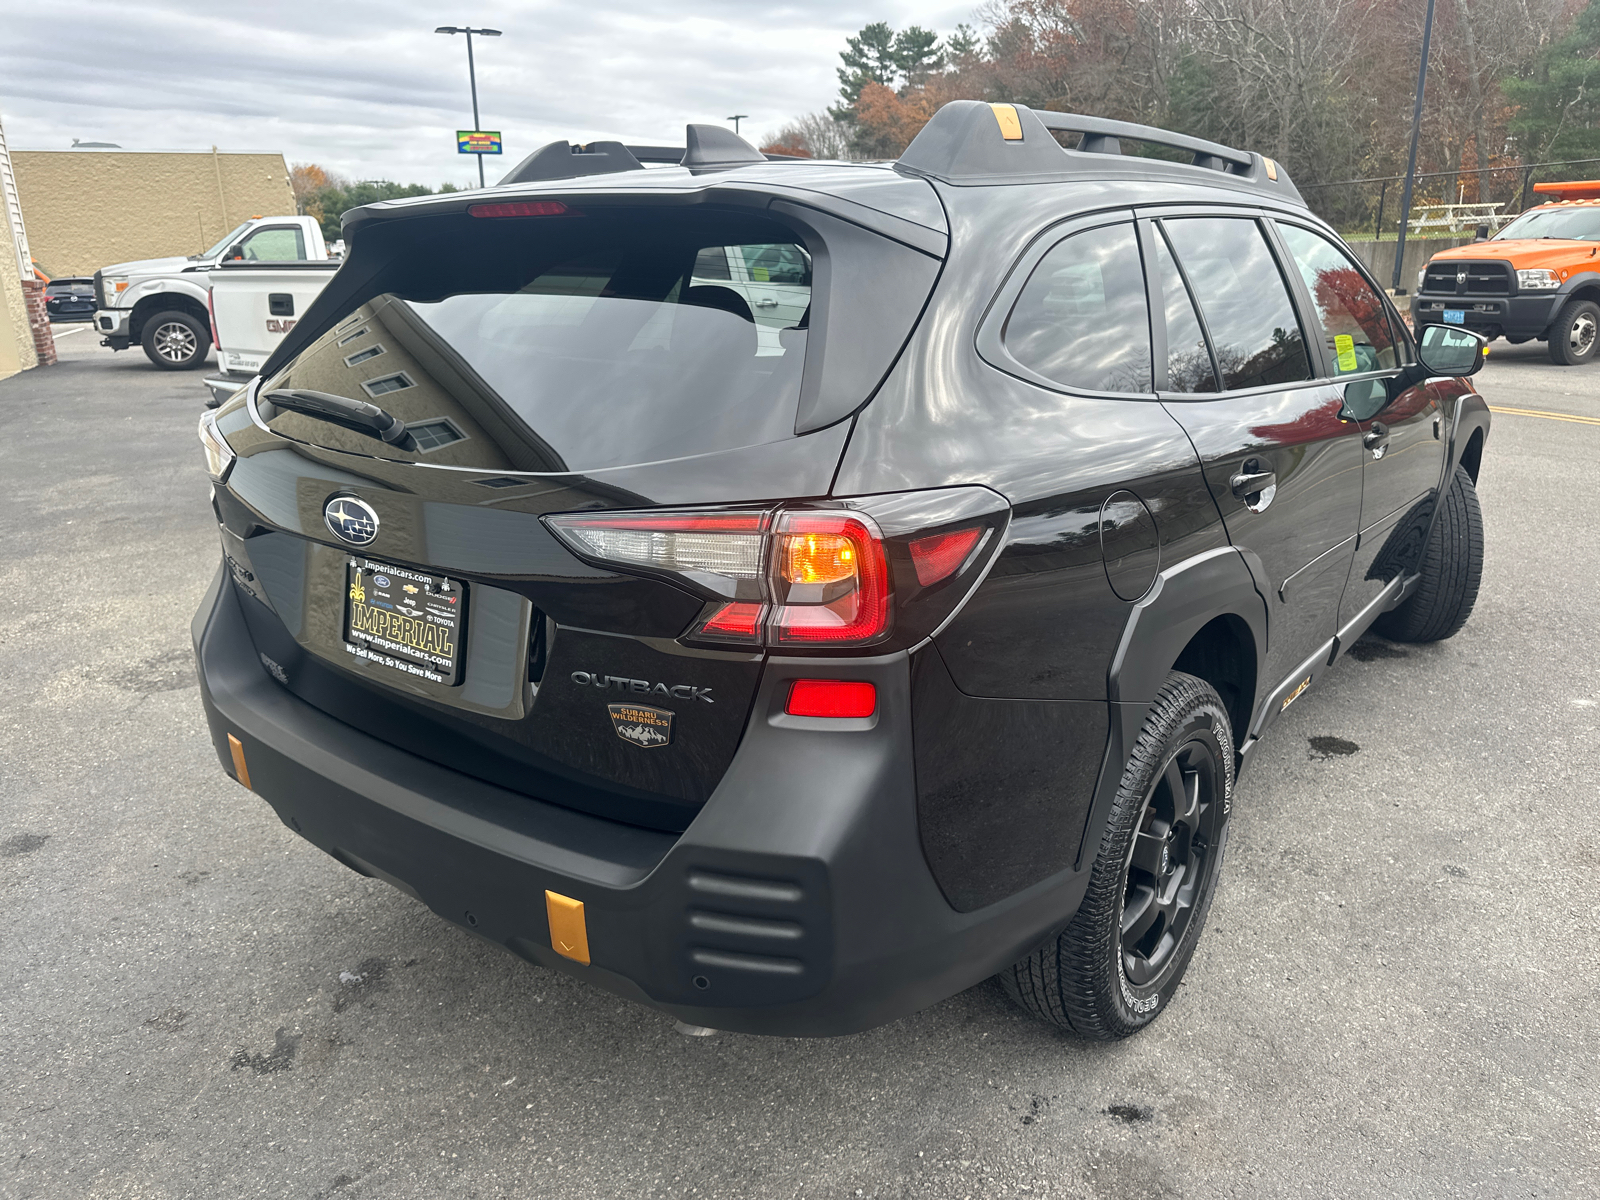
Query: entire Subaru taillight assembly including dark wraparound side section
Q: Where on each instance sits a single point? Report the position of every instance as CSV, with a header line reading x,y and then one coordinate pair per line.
x,y
807,578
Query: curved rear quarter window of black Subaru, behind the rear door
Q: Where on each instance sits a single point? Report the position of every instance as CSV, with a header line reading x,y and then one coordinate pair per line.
x,y
1082,318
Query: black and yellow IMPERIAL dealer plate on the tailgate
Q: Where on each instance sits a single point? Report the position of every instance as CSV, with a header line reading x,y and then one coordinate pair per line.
x,y
406,620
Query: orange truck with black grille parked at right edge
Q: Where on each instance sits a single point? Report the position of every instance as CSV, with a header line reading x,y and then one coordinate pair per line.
x,y
1538,278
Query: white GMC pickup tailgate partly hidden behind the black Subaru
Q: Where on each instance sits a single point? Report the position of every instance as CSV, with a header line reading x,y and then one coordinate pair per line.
x,y
254,306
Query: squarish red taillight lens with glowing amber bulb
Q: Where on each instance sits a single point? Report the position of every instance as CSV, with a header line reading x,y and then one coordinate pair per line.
x,y
831,582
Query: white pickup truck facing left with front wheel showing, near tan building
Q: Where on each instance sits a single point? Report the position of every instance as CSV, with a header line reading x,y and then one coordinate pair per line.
x,y
161,303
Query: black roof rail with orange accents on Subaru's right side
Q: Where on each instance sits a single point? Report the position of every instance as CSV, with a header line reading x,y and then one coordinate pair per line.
x,y
975,143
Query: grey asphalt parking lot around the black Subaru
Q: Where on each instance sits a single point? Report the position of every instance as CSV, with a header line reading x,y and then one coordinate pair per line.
x,y
1396,996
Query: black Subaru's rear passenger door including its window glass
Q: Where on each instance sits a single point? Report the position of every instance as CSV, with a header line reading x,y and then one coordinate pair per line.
x,y
1284,466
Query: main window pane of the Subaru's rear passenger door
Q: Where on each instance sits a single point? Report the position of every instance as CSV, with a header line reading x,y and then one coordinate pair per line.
x,y
1246,303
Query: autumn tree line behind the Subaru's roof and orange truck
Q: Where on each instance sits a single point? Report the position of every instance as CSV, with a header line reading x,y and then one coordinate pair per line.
x,y
1326,87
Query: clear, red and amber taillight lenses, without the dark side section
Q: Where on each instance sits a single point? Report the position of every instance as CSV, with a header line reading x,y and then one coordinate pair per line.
x,y
802,578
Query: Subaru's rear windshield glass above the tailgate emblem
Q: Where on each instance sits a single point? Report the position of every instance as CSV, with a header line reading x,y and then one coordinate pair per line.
x,y
610,340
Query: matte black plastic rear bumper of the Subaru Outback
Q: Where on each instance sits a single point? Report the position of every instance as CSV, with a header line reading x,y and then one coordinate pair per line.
x,y
798,902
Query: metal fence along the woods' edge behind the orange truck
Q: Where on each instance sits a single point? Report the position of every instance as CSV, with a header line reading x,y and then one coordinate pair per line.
x,y
1372,207
